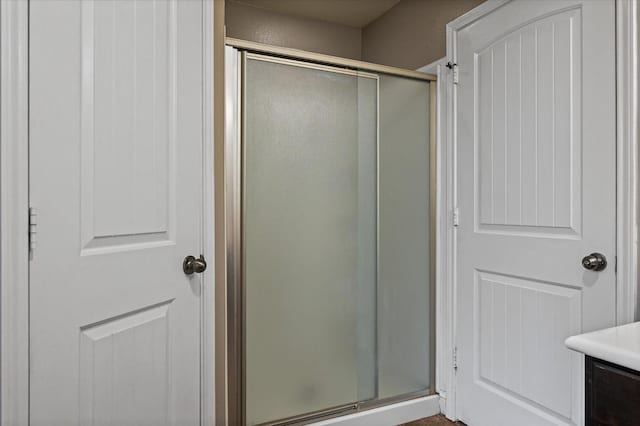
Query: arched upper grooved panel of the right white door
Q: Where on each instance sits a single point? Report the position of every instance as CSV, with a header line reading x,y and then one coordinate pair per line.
x,y
529,128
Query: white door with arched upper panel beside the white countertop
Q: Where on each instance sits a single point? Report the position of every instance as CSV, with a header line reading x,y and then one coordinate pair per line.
x,y
536,148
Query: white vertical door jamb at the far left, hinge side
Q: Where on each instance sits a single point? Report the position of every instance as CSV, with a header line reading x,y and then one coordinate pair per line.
x,y
14,206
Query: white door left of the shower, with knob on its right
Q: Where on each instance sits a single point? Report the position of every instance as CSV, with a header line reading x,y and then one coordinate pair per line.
x,y
116,178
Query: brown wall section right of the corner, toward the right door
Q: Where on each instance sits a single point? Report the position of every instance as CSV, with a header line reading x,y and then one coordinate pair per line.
x,y
412,33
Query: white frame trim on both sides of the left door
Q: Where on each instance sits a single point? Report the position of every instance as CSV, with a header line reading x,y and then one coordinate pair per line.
x,y
14,215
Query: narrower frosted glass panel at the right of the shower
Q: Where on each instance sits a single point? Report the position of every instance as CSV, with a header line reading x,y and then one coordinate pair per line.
x,y
405,308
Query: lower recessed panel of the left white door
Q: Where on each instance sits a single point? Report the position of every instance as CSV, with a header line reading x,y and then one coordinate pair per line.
x,y
124,370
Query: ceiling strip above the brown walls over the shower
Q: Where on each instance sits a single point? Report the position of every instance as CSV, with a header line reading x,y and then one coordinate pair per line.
x,y
354,13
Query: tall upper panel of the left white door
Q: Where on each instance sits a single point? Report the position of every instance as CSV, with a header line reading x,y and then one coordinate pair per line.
x,y
128,120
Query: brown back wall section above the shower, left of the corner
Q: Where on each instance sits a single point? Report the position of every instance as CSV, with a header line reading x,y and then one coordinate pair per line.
x,y
263,26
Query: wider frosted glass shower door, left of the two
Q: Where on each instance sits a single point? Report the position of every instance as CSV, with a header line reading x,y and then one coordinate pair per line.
x,y
310,207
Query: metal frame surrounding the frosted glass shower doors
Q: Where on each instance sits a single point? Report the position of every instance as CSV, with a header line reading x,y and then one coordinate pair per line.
x,y
233,192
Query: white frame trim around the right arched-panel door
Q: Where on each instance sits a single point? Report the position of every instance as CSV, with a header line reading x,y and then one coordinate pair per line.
x,y
627,133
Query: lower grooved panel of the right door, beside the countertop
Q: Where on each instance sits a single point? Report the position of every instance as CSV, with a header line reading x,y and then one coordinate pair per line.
x,y
522,324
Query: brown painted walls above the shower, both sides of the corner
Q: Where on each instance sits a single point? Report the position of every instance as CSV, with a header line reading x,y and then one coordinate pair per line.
x,y
410,35
